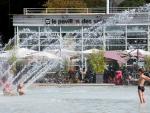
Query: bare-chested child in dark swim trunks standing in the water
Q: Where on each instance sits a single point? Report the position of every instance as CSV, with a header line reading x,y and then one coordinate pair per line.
x,y
141,82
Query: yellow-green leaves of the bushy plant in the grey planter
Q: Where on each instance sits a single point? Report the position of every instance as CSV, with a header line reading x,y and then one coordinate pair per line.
x,y
97,61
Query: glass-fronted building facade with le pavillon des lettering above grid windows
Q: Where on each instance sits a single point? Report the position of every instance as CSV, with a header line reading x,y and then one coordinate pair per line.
x,y
82,30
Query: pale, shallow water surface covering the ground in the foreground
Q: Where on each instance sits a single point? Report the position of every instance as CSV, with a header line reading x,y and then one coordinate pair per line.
x,y
77,99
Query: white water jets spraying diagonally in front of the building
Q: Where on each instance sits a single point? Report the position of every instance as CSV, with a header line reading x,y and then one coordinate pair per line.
x,y
36,69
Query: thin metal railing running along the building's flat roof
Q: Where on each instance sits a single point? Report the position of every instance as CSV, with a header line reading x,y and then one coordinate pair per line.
x,y
28,11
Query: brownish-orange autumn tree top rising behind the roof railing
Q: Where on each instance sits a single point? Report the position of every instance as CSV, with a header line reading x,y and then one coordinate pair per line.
x,y
65,4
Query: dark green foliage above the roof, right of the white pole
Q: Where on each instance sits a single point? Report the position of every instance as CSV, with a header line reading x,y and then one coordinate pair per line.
x,y
132,3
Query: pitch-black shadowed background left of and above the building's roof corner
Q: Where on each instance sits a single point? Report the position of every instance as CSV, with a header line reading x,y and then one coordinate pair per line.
x,y
7,9
